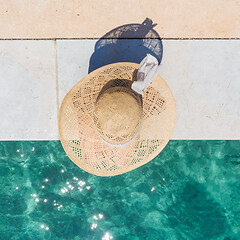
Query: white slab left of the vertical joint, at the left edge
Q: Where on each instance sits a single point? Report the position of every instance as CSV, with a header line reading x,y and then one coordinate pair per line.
x,y
28,96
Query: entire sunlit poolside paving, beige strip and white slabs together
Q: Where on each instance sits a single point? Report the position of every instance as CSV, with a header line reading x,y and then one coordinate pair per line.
x,y
201,52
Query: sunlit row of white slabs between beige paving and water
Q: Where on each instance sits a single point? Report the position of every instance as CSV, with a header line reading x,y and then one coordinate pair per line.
x,y
202,74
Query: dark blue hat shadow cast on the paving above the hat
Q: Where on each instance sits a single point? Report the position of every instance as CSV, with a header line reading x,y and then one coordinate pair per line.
x,y
127,43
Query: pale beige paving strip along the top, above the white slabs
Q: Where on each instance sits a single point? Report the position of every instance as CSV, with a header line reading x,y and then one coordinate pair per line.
x,y
93,18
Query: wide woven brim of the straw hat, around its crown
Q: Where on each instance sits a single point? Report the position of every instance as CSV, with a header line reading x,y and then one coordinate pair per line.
x,y
80,139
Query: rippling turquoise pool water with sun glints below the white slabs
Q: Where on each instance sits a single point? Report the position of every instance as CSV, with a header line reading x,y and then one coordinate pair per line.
x,y
190,191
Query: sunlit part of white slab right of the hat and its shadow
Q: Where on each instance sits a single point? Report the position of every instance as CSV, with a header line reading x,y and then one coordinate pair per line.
x,y
204,76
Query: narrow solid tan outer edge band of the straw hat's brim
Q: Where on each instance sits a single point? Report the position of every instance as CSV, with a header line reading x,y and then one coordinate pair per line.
x,y
153,155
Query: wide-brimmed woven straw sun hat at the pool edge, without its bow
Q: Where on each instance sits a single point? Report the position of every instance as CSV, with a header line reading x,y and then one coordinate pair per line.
x,y
108,129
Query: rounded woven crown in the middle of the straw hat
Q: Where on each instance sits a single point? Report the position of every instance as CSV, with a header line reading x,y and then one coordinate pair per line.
x,y
117,115
